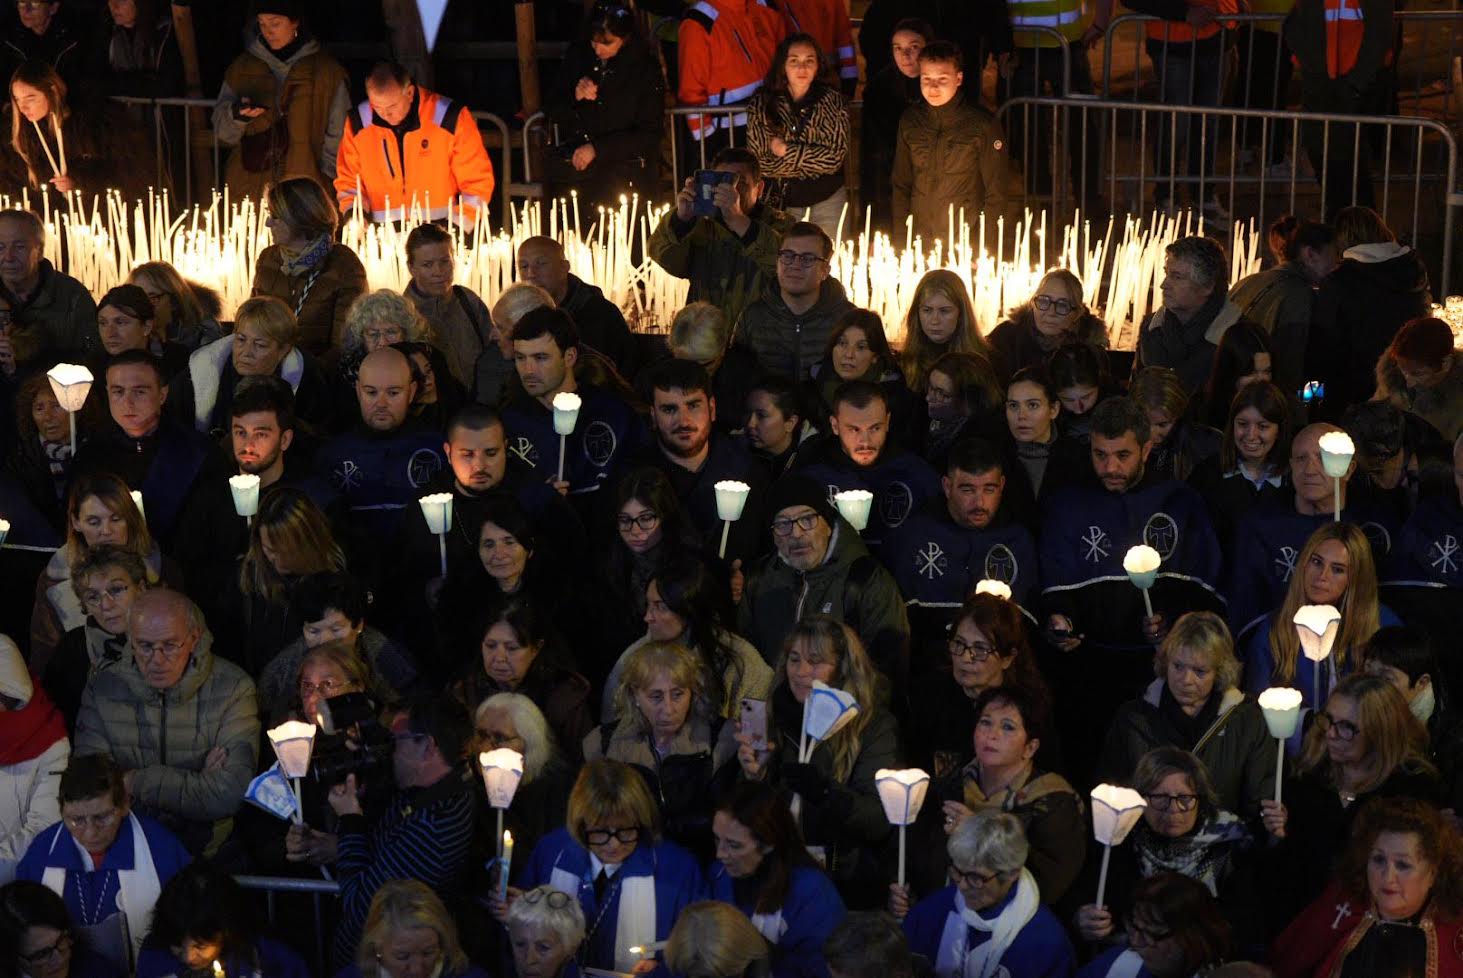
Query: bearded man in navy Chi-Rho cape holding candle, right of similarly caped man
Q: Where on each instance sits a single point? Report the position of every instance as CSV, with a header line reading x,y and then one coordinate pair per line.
x,y
1095,614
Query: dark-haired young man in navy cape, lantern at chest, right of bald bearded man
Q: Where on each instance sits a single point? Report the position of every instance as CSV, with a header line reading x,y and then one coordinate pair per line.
x,y
546,349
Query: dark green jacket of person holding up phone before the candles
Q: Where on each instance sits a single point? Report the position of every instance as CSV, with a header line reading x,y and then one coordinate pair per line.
x,y
726,270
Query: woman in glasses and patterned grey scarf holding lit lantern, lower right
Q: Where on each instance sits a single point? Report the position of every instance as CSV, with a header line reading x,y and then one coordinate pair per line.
x,y
1183,831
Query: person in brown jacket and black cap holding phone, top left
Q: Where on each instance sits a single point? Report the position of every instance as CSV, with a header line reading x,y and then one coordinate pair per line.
x,y
274,140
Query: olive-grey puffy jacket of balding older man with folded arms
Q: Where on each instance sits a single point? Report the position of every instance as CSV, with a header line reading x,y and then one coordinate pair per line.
x,y
165,737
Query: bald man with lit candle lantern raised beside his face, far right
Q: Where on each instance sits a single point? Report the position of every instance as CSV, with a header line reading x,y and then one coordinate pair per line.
x,y
1271,538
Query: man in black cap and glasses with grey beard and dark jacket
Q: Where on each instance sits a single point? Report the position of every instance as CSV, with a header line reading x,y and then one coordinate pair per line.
x,y
821,567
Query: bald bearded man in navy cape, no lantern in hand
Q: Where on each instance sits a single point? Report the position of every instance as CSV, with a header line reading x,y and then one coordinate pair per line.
x,y
386,463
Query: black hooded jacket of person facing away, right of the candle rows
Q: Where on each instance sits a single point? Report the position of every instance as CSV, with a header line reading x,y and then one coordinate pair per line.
x,y
1358,311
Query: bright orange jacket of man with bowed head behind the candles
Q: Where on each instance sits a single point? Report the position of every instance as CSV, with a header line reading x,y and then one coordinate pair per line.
x,y
435,159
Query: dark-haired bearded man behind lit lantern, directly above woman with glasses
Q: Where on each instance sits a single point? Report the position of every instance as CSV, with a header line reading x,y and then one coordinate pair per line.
x,y
696,458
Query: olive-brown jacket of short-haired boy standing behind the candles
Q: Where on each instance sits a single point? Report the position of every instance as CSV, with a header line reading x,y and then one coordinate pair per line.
x,y
953,156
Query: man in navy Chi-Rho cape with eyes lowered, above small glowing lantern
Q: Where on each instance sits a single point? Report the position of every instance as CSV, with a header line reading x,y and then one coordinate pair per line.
x,y
953,544
